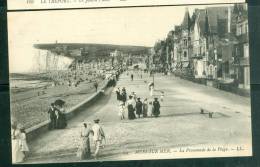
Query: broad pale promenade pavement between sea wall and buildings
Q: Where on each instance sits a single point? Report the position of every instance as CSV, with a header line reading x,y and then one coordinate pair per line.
x,y
180,124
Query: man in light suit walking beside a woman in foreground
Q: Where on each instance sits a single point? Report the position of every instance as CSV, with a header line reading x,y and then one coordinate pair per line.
x,y
98,136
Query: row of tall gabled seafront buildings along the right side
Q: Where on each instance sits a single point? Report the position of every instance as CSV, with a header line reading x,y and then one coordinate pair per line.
x,y
211,44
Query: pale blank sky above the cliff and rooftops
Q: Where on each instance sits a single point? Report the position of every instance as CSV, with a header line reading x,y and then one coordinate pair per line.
x,y
122,26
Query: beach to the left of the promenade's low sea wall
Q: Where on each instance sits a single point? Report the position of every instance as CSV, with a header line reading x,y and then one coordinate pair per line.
x,y
31,96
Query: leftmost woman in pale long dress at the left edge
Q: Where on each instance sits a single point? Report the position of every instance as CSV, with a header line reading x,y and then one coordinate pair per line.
x,y
17,154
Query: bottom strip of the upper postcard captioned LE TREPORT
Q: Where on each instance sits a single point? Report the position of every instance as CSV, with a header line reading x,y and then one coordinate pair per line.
x,y
57,4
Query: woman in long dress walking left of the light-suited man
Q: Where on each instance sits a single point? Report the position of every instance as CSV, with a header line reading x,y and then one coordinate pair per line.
x,y
84,151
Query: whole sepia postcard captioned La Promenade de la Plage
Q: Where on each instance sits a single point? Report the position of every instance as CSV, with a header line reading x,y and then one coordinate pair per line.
x,y
137,83
